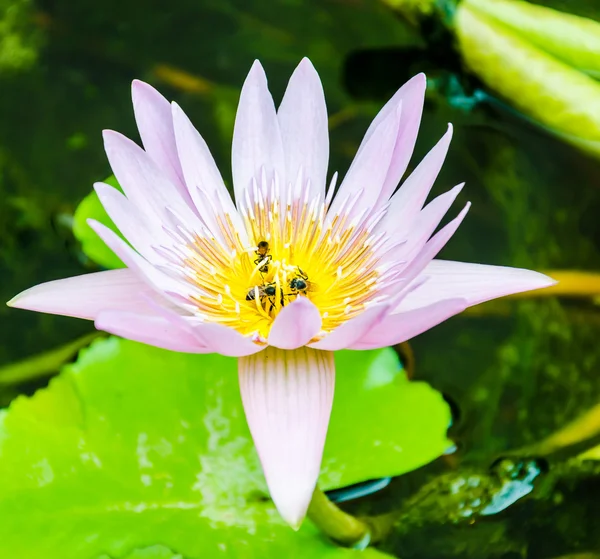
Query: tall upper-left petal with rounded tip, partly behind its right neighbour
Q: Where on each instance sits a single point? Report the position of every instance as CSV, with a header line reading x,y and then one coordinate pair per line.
x,y
153,117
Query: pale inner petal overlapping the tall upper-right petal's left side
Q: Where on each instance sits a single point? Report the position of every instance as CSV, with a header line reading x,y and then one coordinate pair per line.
x,y
370,167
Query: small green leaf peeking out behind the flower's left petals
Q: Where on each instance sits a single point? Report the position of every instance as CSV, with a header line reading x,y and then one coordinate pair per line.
x,y
93,247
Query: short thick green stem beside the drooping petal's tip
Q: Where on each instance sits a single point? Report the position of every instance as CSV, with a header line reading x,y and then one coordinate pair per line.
x,y
344,528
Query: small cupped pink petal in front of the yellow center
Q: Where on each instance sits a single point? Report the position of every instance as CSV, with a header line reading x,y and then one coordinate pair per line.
x,y
295,325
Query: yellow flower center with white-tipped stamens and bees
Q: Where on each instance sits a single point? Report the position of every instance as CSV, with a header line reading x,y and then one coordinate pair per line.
x,y
298,252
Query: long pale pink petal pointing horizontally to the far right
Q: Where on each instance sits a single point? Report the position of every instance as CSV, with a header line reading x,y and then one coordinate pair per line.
x,y
475,283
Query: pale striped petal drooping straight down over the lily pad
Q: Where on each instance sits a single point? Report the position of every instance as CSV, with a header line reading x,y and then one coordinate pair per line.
x,y
287,397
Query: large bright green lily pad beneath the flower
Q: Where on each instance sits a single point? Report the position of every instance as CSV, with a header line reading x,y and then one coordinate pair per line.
x,y
133,446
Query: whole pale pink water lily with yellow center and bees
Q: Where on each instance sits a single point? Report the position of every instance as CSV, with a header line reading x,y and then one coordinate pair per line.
x,y
289,273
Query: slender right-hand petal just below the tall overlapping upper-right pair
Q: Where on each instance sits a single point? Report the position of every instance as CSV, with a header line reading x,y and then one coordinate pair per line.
x,y
406,203
